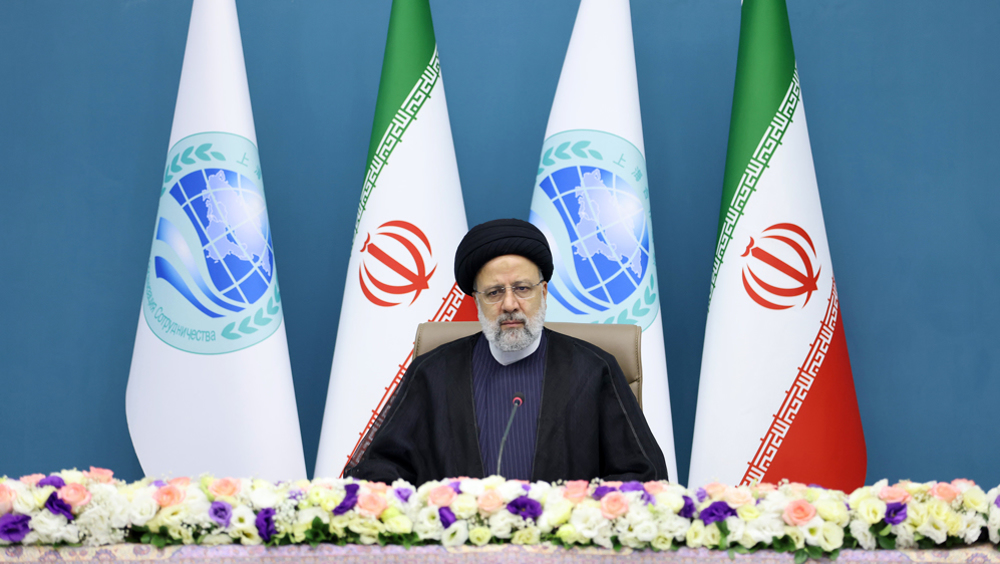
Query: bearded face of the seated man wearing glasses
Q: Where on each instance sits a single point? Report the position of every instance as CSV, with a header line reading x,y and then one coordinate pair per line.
x,y
513,323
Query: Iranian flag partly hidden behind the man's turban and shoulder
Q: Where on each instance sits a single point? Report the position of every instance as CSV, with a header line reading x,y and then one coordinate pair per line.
x,y
410,221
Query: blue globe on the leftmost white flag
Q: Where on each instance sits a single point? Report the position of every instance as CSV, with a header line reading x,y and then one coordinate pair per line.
x,y
229,215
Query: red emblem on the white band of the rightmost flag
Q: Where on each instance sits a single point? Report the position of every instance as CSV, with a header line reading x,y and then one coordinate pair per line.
x,y
781,267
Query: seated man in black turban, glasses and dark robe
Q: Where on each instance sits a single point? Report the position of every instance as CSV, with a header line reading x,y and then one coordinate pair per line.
x,y
453,413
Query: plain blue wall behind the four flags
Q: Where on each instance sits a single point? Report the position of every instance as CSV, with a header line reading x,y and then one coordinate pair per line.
x,y
905,129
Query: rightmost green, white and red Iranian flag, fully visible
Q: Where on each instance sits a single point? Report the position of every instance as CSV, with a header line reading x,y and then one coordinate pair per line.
x,y
776,397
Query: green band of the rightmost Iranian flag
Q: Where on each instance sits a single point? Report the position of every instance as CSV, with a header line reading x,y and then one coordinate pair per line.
x,y
766,83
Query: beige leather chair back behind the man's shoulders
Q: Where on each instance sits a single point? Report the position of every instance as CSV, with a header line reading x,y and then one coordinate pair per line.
x,y
622,341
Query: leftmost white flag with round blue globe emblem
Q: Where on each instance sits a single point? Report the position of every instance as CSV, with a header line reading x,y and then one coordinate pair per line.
x,y
210,387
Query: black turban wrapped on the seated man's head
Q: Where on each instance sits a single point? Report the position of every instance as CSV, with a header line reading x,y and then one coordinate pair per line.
x,y
499,237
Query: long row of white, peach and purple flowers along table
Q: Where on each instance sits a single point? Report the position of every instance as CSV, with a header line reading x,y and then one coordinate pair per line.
x,y
93,508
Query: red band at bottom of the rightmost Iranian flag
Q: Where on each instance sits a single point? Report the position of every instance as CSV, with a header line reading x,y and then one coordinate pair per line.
x,y
816,437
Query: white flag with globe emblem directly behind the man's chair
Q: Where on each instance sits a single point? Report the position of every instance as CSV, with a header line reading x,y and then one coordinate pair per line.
x,y
591,199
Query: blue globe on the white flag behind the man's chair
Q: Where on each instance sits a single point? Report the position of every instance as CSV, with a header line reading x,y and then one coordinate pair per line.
x,y
608,233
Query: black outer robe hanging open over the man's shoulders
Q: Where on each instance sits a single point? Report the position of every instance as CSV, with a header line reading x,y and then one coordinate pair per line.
x,y
589,423
